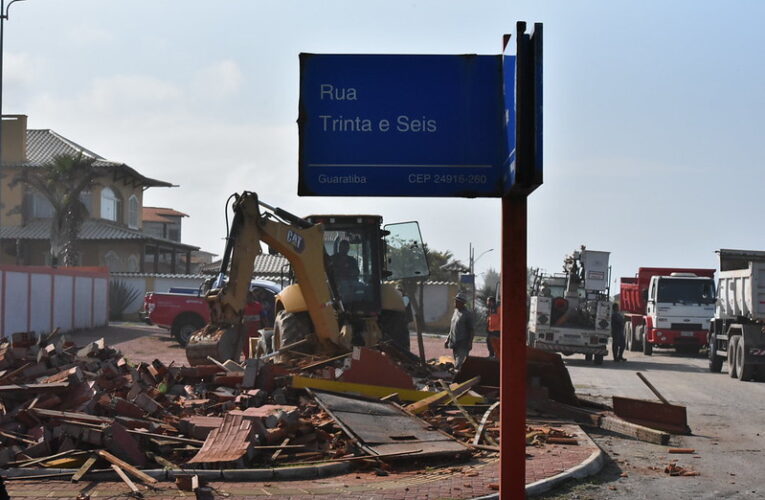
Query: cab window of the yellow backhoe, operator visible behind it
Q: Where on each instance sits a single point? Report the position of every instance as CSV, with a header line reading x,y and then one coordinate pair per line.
x,y
350,264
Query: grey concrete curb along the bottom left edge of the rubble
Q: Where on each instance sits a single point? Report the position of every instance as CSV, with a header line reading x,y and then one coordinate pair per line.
x,y
275,473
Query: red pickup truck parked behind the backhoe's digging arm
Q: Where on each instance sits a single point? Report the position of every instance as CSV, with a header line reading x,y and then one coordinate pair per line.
x,y
185,313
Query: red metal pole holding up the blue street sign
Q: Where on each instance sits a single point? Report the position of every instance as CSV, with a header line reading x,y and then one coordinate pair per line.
x,y
512,386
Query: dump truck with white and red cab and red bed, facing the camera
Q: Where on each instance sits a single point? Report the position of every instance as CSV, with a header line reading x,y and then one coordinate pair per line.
x,y
667,307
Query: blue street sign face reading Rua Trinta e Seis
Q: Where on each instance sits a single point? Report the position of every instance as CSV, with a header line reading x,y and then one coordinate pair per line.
x,y
404,125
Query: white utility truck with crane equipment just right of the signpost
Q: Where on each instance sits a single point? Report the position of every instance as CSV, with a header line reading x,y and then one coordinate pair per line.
x,y
570,312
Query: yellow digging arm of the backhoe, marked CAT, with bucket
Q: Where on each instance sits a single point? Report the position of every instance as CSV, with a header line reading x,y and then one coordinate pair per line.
x,y
301,243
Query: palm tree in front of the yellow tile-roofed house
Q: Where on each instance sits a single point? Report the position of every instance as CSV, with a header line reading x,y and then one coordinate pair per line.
x,y
61,181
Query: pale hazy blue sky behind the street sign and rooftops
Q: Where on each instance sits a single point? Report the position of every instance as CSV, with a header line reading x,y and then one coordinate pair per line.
x,y
654,143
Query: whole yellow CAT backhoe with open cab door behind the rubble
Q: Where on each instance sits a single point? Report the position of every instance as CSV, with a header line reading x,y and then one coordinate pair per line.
x,y
331,307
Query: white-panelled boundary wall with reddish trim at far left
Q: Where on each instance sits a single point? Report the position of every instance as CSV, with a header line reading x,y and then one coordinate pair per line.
x,y
40,298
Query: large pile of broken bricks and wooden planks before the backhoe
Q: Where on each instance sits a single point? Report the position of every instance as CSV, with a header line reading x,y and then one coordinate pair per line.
x,y
88,407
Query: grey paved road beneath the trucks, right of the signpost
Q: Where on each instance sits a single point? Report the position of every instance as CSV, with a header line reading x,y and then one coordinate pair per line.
x,y
725,416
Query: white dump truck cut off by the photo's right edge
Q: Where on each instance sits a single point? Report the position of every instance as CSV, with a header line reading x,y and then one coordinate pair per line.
x,y
737,331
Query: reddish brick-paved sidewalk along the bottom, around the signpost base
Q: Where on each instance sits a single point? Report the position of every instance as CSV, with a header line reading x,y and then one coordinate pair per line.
x,y
476,478
